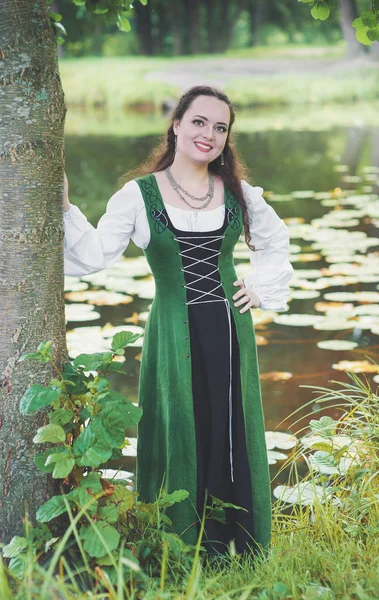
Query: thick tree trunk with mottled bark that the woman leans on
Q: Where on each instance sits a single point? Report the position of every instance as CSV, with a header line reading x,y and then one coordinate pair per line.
x,y
32,114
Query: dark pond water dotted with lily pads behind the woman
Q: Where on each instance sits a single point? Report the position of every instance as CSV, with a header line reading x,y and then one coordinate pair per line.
x,y
324,184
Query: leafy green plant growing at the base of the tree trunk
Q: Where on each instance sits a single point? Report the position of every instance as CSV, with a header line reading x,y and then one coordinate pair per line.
x,y
87,426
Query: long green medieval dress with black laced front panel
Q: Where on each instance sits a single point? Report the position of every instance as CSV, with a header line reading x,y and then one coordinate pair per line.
x,y
202,428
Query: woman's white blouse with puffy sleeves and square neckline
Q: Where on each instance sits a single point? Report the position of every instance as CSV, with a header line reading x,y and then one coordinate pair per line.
x,y
88,249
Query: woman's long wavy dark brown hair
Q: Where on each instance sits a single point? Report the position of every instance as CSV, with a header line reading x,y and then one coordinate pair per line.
x,y
233,170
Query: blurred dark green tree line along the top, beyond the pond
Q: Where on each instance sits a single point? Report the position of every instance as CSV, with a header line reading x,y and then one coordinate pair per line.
x,y
187,27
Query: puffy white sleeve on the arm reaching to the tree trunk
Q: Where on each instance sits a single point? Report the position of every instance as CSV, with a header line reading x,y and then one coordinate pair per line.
x,y
88,249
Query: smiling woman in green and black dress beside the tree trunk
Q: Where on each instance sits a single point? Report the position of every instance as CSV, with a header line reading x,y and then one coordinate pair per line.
x,y
202,427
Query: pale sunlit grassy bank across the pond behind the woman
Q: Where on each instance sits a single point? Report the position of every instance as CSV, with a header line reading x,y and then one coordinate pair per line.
x,y
124,83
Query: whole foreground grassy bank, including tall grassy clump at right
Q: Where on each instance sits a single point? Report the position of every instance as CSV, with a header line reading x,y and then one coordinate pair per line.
x,y
325,548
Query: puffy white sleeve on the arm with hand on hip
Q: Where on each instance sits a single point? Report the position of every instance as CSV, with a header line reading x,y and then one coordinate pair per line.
x,y
271,270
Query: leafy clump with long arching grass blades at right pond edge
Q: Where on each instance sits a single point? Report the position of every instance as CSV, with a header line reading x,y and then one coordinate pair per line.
x,y
342,456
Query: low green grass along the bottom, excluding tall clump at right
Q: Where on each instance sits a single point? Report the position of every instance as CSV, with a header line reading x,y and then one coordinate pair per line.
x,y
308,561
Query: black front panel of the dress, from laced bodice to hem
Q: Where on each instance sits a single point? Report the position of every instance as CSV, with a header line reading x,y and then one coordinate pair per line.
x,y
209,345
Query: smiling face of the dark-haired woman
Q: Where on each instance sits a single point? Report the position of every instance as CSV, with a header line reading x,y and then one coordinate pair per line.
x,y
203,129
